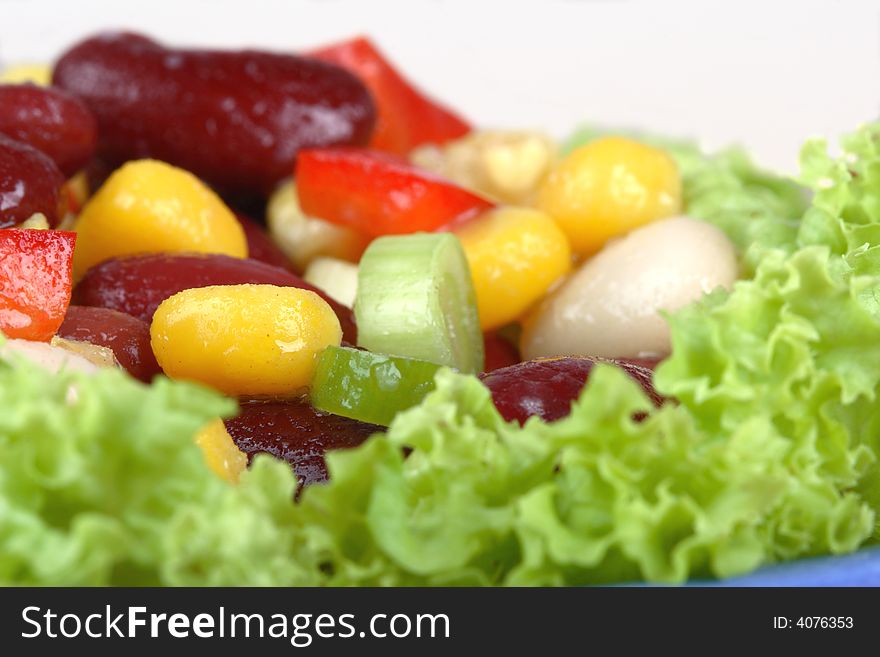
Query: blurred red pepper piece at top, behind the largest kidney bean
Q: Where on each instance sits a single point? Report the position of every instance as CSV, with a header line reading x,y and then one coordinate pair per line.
x,y
406,118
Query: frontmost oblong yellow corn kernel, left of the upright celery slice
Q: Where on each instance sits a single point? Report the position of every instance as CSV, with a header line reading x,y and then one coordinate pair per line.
x,y
244,339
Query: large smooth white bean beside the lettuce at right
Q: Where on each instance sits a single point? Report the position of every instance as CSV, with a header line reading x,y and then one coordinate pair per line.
x,y
609,307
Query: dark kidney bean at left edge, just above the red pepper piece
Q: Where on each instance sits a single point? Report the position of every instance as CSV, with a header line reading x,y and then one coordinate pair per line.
x,y
29,182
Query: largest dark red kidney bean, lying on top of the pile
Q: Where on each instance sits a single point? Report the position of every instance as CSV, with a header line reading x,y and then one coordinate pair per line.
x,y
236,119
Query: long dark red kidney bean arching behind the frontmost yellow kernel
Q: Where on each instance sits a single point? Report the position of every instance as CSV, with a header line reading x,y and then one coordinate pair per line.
x,y
136,285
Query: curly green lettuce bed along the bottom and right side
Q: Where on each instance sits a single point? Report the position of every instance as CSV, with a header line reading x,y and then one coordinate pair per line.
x,y
769,453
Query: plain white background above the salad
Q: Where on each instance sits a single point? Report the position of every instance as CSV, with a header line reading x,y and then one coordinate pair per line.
x,y
767,74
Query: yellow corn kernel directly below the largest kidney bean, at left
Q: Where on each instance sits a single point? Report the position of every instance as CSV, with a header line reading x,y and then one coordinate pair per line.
x,y
148,206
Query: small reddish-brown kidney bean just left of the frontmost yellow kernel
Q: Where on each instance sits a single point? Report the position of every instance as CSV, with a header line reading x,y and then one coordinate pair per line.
x,y
127,336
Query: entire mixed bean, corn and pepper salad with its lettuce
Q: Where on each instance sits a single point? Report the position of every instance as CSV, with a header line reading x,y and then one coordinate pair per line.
x,y
285,320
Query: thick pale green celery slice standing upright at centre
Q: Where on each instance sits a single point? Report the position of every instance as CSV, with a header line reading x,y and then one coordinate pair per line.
x,y
416,299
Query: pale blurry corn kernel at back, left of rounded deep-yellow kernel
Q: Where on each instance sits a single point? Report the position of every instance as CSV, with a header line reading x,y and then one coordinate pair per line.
x,y
507,166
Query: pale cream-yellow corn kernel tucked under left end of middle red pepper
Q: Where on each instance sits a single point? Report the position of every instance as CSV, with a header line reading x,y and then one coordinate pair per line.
x,y
302,238
